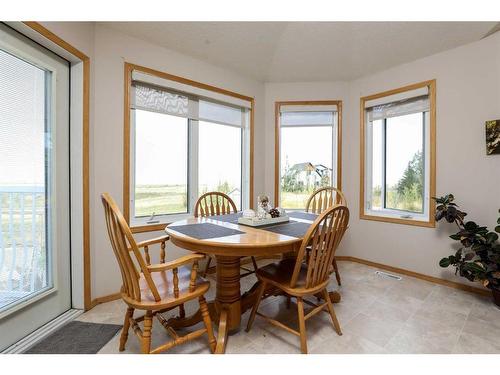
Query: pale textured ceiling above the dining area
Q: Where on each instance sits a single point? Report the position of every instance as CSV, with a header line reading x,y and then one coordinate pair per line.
x,y
306,51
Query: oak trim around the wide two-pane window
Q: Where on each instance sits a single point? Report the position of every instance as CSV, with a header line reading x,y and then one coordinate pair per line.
x,y
128,69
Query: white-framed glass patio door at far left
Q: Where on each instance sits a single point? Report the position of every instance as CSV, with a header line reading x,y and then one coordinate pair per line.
x,y
34,186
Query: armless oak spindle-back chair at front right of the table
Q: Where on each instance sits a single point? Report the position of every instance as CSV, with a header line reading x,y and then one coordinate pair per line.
x,y
298,279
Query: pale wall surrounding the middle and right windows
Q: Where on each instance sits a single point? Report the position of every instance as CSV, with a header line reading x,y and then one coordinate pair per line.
x,y
468,94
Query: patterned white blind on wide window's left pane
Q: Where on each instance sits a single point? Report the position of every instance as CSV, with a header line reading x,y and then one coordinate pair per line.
x,y
156,99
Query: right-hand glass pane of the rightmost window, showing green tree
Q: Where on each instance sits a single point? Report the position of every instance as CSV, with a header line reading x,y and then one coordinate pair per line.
x,y
404,162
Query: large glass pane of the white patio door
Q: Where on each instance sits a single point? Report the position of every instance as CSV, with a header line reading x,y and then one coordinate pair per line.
x,y
23,168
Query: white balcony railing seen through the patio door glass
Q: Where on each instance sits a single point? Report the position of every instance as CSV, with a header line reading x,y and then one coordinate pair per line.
x,y
23,255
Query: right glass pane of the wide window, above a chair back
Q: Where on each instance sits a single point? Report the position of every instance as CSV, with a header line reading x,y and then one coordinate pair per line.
x,y
219,160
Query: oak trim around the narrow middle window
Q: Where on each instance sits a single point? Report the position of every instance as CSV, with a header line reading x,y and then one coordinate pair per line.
x,y
277,139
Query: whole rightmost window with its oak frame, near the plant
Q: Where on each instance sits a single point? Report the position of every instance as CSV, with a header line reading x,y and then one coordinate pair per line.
x,y
398,153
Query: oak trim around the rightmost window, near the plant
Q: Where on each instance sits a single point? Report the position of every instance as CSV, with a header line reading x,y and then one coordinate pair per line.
x,y
430,223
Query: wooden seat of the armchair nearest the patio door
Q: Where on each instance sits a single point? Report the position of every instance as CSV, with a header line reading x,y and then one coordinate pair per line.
x,y
164,283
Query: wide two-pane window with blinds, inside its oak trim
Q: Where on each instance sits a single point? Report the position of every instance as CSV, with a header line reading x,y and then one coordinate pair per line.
x,y
184,141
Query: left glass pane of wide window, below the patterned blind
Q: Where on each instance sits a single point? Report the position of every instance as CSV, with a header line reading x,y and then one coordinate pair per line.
x,y
161,164
